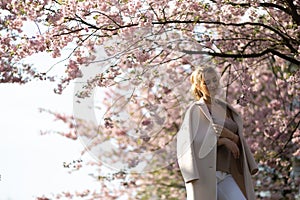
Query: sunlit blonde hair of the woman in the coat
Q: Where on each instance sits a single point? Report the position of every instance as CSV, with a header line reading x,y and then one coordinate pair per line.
x,y
196,77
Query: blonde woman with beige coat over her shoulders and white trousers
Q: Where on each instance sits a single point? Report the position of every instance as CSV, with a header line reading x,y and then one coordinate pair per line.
x,y
213,156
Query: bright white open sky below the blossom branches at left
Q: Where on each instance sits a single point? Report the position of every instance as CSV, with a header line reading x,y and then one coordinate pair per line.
x,y
32,164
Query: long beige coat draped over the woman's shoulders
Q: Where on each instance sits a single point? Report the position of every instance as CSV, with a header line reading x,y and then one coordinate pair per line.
x,y
196,154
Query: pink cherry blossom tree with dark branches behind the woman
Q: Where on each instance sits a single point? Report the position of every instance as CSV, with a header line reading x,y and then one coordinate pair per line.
x,y
141,54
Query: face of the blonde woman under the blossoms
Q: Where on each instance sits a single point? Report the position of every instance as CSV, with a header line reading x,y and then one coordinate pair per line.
x,y
209,84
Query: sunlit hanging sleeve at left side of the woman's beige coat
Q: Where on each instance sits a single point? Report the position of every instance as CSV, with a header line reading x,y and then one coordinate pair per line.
x,y
185,150
